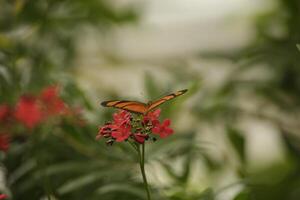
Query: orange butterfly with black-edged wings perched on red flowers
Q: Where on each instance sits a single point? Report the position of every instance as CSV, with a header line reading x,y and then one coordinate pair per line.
x,y
141,108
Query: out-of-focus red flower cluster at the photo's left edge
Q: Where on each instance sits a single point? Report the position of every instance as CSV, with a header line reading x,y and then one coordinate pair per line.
x,y
31,111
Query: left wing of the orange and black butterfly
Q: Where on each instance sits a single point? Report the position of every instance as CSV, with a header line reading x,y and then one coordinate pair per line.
x,y
131,106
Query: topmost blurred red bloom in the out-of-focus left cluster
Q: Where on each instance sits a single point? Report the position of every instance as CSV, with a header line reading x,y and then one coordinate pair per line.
x,y
53,103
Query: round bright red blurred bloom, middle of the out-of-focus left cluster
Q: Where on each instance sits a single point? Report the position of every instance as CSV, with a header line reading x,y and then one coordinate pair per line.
x,y
28,111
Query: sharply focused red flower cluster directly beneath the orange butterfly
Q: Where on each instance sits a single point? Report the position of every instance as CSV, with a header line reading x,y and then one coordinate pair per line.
x,y
125,126
